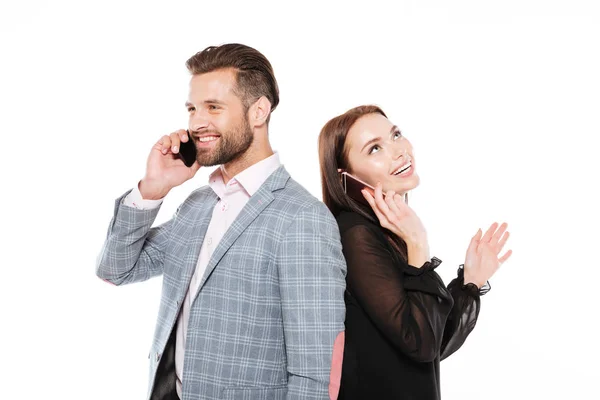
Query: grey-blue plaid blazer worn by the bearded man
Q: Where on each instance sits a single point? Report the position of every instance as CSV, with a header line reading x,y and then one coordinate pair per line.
x,y
270,305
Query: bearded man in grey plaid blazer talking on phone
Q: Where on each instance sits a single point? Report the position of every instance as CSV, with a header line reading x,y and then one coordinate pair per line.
x,y
252,302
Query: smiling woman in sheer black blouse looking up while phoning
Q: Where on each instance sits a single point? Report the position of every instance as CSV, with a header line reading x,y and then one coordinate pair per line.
x,y
401,319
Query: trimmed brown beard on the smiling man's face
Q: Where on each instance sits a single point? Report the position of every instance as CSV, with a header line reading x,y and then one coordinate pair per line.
x,y
232,144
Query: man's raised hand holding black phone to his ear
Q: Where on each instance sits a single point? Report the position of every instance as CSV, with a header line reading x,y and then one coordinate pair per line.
x,y
165,168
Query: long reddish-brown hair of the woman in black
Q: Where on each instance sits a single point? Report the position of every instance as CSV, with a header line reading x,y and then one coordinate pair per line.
x,y
333,156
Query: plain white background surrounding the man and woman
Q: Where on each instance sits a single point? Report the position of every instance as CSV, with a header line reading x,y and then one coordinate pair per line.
x,y
500,99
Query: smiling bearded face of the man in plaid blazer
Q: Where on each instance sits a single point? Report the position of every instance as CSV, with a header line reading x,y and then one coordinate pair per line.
x,y
218,122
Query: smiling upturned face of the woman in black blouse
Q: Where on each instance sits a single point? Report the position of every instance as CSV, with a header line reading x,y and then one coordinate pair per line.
x,y
377,152
